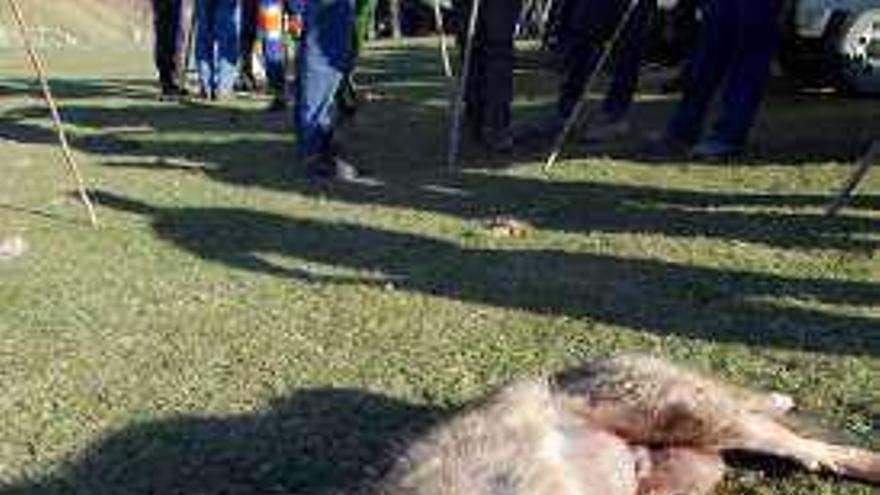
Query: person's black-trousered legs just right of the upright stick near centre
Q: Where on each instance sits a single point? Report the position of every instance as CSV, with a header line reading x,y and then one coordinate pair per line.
x,y
489,88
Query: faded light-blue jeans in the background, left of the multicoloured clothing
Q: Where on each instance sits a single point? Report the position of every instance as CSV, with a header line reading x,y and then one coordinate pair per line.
x,y
217,44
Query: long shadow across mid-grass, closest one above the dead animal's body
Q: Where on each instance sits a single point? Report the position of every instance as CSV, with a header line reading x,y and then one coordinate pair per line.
x,y
650,296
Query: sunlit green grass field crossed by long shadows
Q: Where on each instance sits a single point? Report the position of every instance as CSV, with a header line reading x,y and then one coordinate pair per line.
x,y
232,329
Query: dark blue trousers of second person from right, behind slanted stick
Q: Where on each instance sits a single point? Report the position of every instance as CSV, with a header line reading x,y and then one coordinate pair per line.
x,y
587,26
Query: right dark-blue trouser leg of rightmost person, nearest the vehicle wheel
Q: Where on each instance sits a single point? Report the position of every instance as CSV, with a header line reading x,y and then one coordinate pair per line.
x,y
750,69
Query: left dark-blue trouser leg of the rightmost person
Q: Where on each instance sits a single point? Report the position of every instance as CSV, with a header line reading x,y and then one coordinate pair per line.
x,y
708,67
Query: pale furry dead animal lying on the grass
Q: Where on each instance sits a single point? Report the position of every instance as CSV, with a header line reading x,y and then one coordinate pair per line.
x,y
626,425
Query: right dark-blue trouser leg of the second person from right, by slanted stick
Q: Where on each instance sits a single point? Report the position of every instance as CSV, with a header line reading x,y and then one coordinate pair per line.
x,y
629,60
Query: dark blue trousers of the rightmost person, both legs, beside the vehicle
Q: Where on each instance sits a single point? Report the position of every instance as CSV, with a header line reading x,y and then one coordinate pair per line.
x,y
736,45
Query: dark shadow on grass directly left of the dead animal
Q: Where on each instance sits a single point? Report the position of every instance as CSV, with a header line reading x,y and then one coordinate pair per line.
x,y
320,441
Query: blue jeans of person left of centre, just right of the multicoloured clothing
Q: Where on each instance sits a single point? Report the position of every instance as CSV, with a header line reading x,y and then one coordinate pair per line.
x,y
324,56
